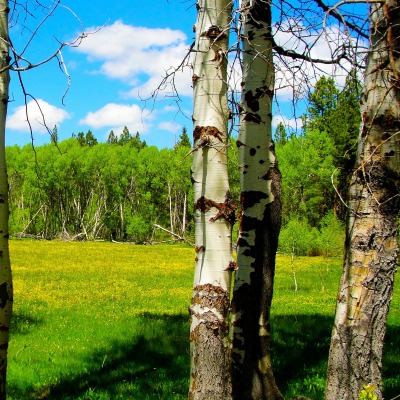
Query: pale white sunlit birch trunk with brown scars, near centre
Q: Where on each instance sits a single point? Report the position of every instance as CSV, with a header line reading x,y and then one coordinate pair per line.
x,y
214,214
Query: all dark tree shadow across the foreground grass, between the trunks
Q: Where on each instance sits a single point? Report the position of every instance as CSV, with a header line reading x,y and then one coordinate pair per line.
x,y
155,365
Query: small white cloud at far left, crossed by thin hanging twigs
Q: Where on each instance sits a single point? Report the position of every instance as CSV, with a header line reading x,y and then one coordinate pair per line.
x,y
40,113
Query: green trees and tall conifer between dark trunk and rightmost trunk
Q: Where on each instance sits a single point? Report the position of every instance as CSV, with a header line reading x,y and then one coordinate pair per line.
x,y
314,165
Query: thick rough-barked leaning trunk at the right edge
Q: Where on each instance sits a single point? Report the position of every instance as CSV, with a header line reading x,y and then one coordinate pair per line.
x,y
371,248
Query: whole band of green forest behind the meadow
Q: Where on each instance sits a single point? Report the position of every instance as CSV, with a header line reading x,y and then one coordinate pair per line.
x,y
81,189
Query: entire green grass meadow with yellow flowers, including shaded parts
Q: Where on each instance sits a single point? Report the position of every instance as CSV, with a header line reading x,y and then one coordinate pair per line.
x,y
109,321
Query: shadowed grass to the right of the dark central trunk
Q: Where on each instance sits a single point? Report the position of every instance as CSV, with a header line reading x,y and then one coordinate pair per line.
x,y
300,355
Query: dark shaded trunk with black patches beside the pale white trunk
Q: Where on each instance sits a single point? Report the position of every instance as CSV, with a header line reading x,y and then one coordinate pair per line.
x,y
252,376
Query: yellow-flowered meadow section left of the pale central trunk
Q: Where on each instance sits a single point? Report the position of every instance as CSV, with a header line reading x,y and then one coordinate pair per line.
x,y
99,321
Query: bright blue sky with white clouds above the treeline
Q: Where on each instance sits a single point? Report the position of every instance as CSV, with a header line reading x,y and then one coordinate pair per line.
x,y
114,70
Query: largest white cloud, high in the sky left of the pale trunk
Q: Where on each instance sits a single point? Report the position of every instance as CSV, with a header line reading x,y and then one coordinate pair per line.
x,y
140,56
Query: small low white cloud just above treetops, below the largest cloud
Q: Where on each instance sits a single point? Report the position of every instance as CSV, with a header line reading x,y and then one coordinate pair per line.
x,y
116,116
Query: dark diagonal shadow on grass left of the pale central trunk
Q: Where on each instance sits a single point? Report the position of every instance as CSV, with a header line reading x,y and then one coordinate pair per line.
x,y
154,367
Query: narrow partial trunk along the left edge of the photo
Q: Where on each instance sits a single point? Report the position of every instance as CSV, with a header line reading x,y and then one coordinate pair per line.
x,y
6,293
